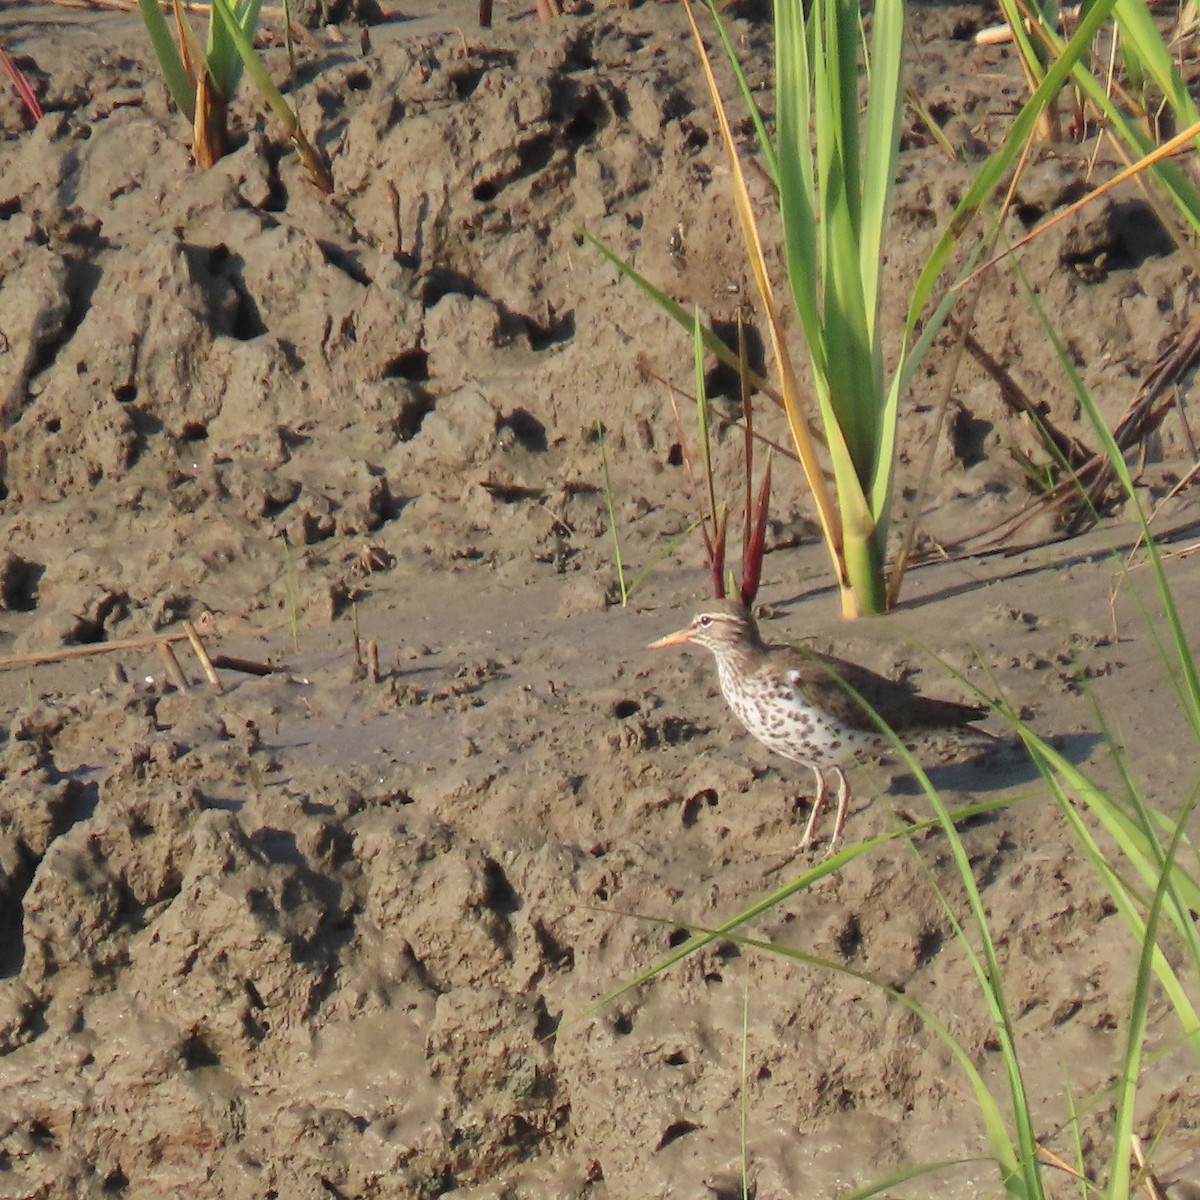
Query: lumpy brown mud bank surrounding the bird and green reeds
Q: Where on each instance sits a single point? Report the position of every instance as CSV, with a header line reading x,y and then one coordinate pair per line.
x,y
326,937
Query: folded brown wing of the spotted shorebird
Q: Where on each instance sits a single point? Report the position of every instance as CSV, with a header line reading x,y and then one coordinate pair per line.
x,y
825,679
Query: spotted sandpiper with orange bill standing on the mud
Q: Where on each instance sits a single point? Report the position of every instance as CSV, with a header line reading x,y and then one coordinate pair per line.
x,y
801,704
